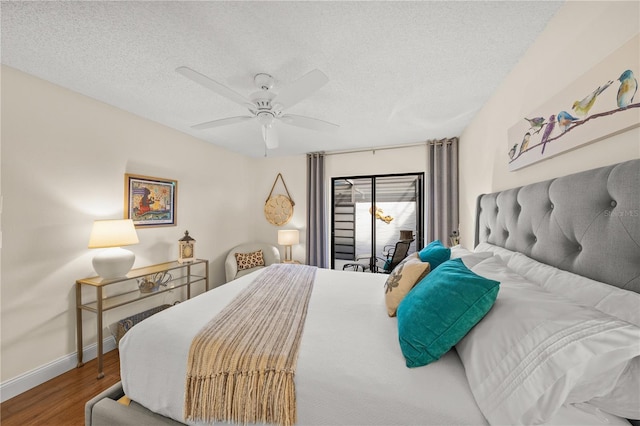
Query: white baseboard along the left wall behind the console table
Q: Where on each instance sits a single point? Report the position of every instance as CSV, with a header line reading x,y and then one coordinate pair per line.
x,y
38,376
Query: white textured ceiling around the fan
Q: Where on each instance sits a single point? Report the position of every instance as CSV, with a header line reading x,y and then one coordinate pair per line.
x,y
399,72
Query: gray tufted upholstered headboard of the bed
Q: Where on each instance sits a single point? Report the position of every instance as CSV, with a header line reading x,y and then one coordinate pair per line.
x,y
587,223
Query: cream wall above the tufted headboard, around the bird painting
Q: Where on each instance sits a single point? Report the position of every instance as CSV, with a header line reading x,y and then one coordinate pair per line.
x,y
579,37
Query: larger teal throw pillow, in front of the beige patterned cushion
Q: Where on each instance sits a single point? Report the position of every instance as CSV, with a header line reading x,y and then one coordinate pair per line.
x,y
441,309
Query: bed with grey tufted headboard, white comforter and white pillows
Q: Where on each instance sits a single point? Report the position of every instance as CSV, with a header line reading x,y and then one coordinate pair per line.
x,y
566,255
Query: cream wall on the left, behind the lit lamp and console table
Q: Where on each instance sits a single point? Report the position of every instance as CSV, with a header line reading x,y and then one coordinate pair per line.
x,y
64,157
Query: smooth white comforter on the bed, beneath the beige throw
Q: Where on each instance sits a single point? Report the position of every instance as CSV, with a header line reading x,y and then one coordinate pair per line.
x,y
350,368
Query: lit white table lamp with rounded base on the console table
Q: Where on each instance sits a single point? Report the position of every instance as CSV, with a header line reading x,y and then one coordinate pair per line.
x,y
114,262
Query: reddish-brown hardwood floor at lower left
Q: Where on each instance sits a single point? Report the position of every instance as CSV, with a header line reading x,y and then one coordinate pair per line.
x,y
60,401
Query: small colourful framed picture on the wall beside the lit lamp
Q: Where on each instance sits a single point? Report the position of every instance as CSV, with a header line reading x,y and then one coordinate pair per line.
x,y
150,201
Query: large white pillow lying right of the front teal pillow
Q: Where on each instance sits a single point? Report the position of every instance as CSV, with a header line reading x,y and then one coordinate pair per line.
x,y
535,351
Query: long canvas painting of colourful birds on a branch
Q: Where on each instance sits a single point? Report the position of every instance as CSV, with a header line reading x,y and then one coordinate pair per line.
x,y
588,110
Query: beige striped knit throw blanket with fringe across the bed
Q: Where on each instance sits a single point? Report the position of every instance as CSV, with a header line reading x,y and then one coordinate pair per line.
x,y
241,365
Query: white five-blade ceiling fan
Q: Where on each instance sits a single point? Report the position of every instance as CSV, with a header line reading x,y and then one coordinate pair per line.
x,y
265,105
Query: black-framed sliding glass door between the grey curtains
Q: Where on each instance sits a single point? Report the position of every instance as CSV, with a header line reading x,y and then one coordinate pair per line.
x,y
370,214
